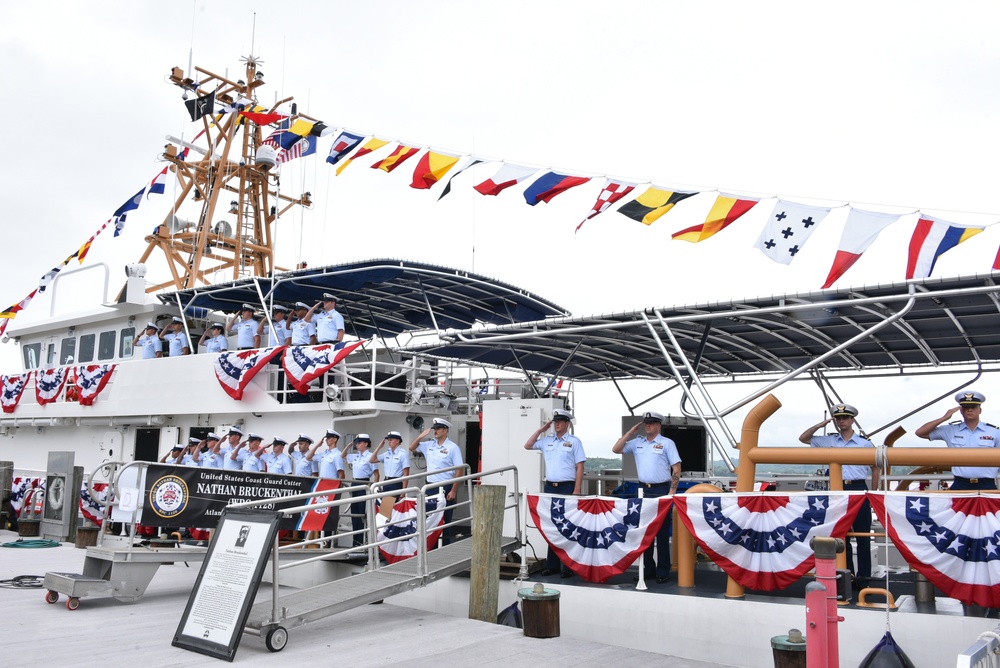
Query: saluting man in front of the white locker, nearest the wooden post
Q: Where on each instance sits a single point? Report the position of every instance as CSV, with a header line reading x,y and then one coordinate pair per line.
x,y
564,459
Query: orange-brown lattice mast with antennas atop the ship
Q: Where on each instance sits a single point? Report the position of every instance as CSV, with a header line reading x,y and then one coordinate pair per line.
x,y
232,178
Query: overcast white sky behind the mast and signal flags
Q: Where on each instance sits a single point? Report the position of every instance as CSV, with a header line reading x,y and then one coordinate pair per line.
x,y
890,106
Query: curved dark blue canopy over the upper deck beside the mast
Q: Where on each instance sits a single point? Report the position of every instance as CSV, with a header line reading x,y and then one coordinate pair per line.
x,y
383,296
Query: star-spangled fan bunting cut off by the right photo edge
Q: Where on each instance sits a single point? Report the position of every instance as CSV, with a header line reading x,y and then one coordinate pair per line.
x,y
954,541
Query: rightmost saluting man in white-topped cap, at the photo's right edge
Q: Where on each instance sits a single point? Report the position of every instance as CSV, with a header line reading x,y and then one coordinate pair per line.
x,y
969,432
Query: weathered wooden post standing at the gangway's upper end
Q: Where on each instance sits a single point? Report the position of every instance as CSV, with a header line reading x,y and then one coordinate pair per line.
x,y
487,523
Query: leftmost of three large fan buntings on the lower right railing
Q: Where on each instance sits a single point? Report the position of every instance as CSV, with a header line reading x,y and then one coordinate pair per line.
x,y
597,537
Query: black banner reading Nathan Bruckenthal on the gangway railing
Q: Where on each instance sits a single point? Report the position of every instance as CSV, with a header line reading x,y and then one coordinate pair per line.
x,y
191,496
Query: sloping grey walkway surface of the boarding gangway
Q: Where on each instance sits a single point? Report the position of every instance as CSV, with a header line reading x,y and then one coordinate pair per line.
x,y
308,605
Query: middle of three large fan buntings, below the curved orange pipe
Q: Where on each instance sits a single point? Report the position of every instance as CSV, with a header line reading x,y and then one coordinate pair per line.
x,y
762,541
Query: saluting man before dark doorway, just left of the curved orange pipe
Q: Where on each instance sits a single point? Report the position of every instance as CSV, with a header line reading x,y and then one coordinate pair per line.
x,y
658,465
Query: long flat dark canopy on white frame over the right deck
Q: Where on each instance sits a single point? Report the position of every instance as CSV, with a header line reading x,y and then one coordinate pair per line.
x,y
918,324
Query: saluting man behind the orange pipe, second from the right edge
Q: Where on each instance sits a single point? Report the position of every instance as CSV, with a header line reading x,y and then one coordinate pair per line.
x,y
855,478
